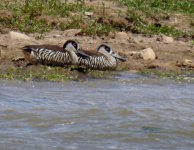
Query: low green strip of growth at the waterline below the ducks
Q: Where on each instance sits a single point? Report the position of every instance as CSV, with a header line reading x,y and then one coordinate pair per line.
x,y
56,74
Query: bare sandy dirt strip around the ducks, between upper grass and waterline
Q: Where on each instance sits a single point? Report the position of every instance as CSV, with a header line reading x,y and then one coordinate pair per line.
x,y
169,54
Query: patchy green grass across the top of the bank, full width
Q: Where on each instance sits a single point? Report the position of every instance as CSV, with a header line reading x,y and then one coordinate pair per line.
x,y
141,15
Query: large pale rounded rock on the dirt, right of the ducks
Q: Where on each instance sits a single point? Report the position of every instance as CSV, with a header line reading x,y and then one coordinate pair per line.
x,y
147,54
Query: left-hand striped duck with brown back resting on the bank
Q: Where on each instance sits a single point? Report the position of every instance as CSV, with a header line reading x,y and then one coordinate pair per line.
x,y
53,55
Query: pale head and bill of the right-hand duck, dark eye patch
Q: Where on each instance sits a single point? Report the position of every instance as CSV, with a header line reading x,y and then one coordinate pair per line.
x,y
107,51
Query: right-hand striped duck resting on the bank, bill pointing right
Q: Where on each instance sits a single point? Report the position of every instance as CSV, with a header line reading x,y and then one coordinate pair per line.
x,y
104,59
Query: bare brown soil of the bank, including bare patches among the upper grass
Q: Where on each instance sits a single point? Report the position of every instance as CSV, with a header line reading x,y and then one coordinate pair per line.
x,y
170,56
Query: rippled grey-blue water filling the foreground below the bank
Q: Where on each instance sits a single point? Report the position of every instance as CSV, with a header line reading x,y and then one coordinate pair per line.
x,y
128,112
